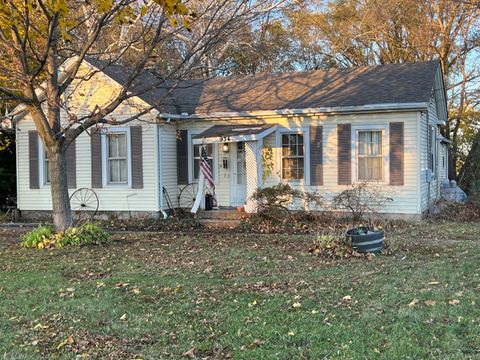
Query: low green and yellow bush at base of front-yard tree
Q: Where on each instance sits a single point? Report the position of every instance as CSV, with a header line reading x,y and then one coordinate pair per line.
x,y
85,234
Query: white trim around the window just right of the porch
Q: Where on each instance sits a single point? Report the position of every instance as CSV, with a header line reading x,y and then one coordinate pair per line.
x,y
306,152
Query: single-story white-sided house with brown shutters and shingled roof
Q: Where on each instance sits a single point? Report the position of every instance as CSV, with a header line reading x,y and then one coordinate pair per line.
x,y
325,130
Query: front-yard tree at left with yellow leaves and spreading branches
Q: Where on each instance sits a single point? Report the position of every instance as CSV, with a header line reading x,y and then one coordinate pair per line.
x,y
38,37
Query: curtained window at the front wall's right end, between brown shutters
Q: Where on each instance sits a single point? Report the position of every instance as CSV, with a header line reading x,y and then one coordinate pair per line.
x,y
370,156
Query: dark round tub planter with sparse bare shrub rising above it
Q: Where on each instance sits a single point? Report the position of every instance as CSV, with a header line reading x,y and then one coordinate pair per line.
x,y
362,199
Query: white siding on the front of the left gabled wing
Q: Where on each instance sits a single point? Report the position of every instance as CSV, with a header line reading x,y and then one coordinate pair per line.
x,y
99,90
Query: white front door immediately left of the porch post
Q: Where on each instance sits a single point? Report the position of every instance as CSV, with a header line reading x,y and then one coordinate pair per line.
x,y
238,174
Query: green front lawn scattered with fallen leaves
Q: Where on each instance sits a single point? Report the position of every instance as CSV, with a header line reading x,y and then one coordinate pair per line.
x,y
243,296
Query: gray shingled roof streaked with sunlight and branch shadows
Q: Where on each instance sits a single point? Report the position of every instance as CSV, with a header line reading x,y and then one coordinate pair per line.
x,y
373,85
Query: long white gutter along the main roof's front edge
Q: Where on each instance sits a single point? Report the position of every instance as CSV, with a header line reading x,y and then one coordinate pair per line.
x,y
393,107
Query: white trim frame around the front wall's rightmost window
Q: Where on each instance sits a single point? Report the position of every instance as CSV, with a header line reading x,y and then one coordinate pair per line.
x,y
385,151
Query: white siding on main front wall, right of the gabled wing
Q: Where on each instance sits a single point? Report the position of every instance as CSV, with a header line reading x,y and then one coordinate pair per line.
x,y
406,197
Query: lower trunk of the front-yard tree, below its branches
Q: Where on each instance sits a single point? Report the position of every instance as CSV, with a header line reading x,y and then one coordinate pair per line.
x,y
61,211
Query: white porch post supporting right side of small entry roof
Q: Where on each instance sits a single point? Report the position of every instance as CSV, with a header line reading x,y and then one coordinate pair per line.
x,y
253,159
